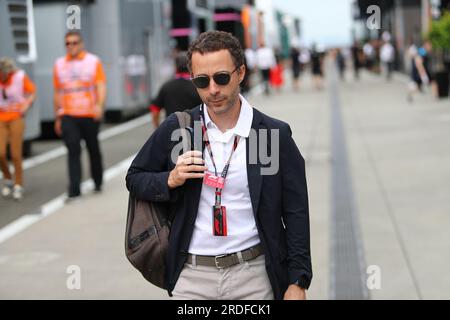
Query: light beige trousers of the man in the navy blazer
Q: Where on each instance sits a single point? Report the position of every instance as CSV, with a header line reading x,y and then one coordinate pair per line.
x,y
245,281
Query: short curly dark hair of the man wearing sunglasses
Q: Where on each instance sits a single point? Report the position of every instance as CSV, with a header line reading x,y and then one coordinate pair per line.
x,y
212,41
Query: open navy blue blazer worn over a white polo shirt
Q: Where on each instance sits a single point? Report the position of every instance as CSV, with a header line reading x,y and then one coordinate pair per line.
x,y
279,201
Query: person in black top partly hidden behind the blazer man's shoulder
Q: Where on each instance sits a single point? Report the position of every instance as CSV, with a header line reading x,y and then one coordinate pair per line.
x,y
177,94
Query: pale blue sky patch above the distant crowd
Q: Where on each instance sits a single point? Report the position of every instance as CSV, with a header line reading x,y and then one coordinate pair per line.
x,y
327,22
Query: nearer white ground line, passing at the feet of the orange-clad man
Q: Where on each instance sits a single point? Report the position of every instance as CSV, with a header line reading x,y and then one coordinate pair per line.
x,y
54,205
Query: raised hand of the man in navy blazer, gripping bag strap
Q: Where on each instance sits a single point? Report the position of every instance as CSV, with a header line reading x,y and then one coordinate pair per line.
x,y
190,165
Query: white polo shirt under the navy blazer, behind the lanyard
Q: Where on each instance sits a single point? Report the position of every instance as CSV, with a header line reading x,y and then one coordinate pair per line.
x,y
241,225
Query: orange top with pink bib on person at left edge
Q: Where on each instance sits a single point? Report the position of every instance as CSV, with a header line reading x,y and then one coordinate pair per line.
x,y
12,96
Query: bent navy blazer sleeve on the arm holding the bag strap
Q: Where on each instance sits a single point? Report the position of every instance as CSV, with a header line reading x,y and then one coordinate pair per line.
x,y
147,176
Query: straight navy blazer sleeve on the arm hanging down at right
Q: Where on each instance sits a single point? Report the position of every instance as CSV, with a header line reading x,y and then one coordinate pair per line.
x,y
295,210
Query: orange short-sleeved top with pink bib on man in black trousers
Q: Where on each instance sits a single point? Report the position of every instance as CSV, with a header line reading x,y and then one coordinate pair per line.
x,y
75,81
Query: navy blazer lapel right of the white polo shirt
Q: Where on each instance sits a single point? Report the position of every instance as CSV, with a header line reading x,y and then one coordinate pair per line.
x,y
254,169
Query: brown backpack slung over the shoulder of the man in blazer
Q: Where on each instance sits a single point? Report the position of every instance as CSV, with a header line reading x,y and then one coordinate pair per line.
x,y
148,228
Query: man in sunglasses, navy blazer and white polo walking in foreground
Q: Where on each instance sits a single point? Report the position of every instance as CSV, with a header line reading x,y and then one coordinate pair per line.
x,y
236,234
